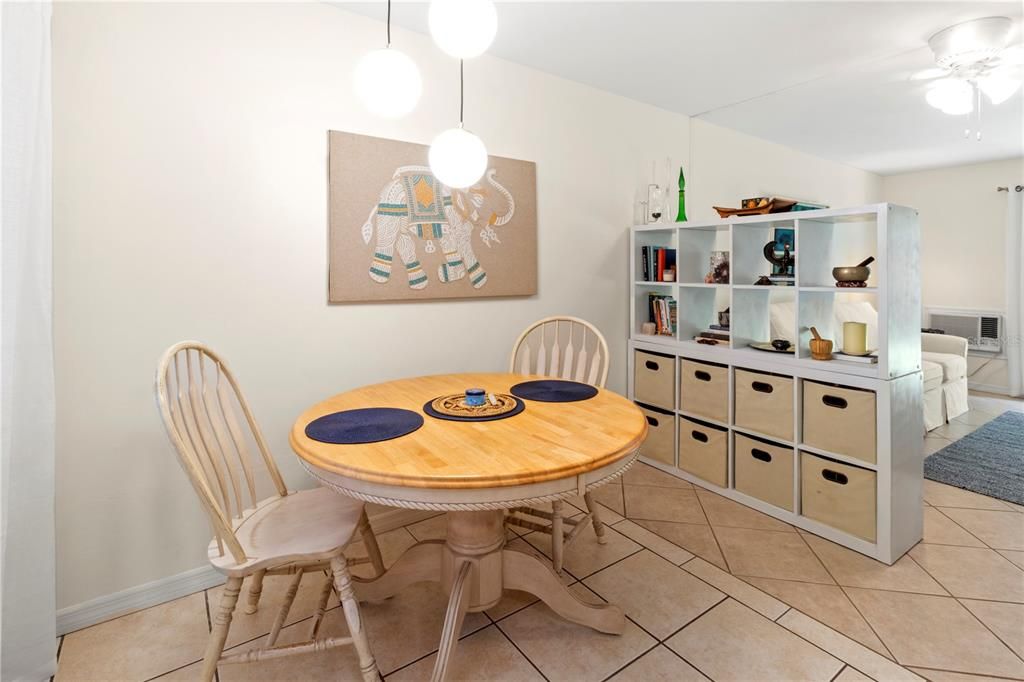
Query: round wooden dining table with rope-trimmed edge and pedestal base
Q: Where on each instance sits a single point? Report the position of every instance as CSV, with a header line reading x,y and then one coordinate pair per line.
x,y
475,472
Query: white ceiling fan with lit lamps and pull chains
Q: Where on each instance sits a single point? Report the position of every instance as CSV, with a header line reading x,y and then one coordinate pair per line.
x,y
973,59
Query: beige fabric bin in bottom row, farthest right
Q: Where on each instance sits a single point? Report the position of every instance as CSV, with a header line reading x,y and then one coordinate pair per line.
x,y
838,495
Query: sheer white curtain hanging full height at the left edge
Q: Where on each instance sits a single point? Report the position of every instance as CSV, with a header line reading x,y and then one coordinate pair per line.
x,y
27,556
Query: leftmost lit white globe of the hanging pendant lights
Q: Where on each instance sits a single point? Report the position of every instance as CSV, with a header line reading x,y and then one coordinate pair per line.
x,y
388,82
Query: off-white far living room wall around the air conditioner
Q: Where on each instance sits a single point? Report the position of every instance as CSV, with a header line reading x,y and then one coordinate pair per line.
x,y
963,238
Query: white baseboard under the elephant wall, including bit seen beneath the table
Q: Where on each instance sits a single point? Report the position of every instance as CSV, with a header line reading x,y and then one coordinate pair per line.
x,y
174,587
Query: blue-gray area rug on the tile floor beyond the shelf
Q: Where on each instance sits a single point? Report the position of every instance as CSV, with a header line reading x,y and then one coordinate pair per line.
x,y
990,461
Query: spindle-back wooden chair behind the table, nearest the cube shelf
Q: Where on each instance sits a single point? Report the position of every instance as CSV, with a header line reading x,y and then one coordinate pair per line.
x,y
565,349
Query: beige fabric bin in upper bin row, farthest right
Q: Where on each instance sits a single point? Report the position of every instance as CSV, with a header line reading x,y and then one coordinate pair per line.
x,y
840,420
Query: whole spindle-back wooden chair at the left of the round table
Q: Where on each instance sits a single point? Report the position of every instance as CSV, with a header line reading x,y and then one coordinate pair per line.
x,y
286,533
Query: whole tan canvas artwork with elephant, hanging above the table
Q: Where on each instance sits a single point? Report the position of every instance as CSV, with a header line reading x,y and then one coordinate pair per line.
x,y
397,233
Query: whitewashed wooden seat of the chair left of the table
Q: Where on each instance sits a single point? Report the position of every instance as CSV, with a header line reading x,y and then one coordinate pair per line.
x,y
301,527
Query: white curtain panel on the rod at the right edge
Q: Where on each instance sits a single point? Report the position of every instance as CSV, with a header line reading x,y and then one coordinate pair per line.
x,y
1015,289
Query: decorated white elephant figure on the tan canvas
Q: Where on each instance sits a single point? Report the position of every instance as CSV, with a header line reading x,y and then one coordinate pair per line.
x,y
415,207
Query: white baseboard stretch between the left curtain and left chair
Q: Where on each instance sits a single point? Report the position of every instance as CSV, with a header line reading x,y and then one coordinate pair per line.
x,y
137,599
